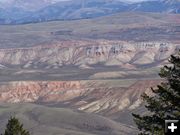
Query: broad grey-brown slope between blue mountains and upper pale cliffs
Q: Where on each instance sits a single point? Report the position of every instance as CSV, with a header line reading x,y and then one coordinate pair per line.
x,y
123,26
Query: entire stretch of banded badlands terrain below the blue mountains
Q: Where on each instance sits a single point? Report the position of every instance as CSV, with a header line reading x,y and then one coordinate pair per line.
x,y
83,77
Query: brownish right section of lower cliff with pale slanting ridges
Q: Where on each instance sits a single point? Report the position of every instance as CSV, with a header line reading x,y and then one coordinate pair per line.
x,y
112,100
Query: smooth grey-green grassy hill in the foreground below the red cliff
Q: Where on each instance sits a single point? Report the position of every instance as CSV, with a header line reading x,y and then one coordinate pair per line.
x,y
41,120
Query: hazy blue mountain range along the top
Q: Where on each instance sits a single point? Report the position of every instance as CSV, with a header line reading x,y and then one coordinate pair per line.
x,y
23,11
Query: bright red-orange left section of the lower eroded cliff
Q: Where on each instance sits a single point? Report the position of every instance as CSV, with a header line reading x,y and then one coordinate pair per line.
x,y
33,91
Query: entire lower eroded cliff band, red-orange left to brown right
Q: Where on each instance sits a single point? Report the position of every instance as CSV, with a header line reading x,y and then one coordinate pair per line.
x,y
82,95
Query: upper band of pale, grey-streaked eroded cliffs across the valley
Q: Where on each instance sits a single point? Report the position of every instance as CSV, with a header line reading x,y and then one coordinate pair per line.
x,y
83,53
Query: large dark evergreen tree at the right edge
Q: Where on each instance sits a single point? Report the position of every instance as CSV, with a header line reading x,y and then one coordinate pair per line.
x,y
164,104
